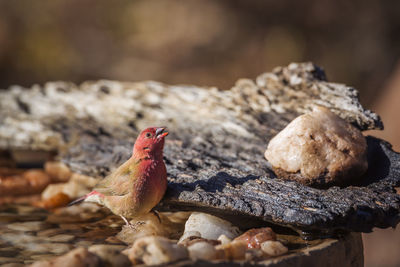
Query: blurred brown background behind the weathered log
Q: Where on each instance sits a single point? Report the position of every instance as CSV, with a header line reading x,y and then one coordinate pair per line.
x,y
212,43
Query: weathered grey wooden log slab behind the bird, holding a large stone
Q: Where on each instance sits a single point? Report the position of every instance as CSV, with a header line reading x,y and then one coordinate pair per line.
x,y
214,153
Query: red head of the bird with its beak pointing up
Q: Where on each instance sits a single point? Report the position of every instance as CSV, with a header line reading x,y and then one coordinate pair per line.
x,y
150,142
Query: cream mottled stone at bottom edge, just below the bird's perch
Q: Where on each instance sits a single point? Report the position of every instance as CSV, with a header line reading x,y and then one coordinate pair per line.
x,y
153,250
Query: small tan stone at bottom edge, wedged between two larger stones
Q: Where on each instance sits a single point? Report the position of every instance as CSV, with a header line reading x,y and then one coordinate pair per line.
x,y
111,255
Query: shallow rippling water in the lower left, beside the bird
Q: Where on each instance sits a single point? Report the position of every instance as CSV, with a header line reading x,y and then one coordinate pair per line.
x,y
28,234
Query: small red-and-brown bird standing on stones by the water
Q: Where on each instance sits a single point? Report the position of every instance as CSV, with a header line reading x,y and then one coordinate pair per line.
x,y
139,184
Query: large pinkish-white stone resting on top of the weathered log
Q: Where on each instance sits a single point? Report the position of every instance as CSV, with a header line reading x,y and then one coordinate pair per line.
x,y
318,148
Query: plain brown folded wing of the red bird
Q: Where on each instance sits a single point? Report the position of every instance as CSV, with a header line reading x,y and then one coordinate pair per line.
x,y
119,182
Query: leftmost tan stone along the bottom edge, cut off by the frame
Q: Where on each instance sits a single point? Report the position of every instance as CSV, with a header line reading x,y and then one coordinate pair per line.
x,y
79,257
